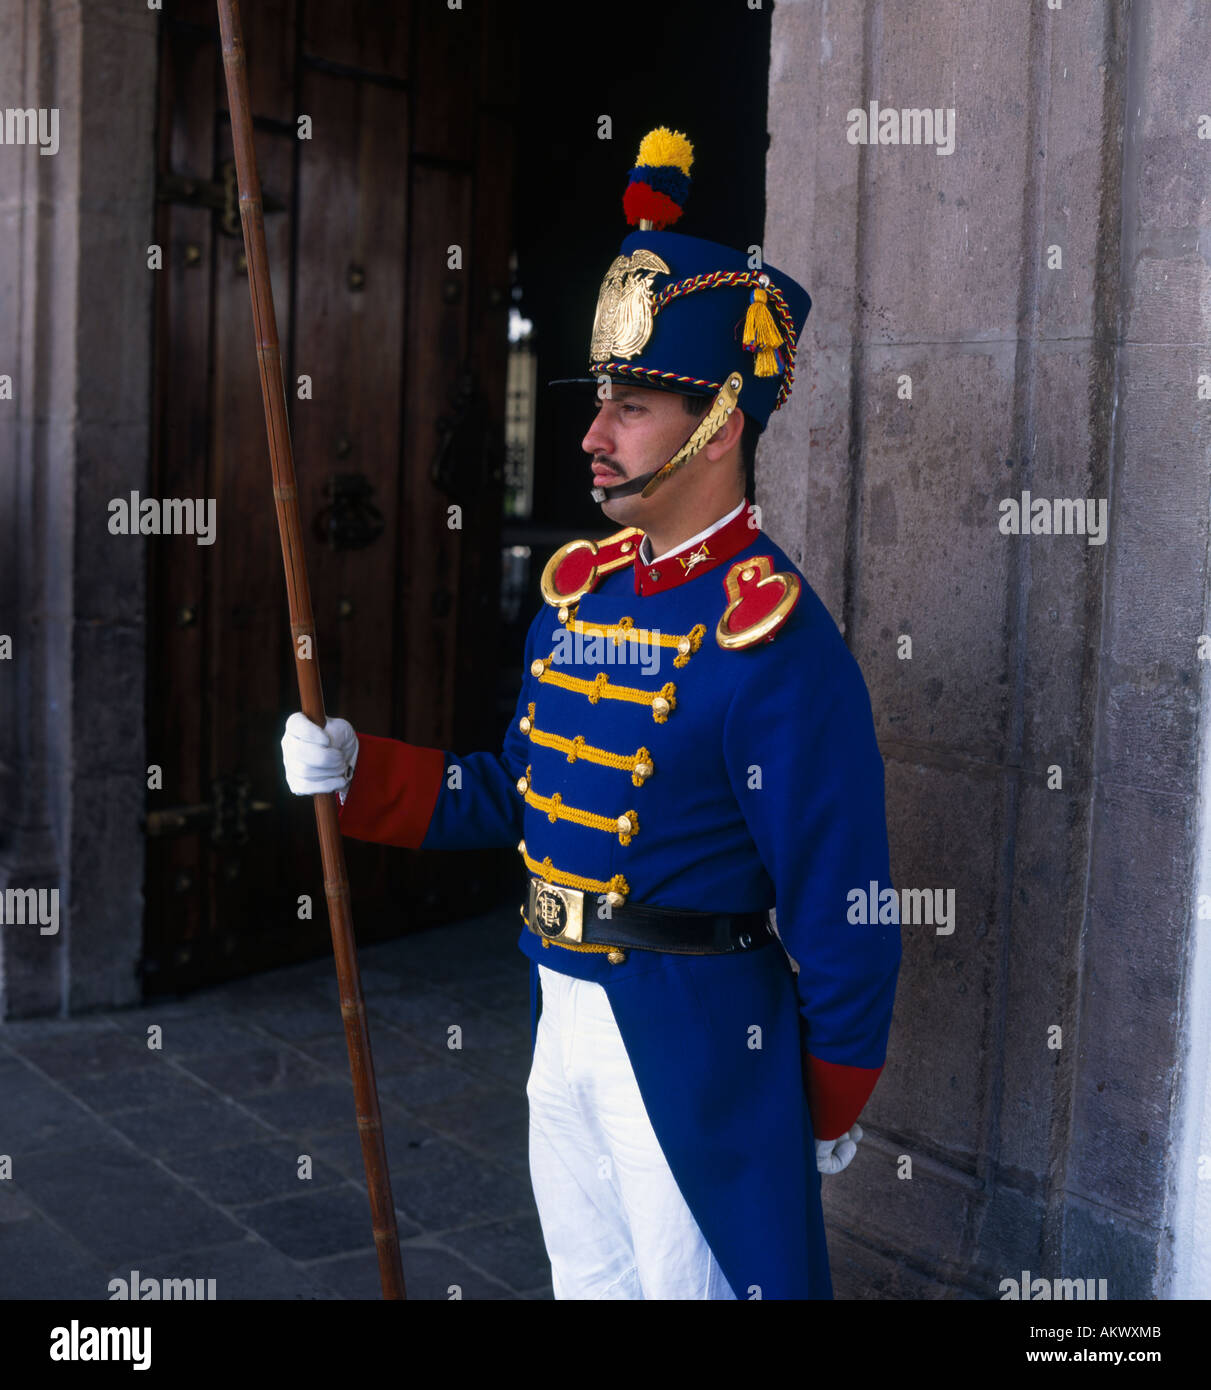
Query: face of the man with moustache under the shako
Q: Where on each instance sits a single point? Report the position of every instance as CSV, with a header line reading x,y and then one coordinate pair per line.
x,y
635,432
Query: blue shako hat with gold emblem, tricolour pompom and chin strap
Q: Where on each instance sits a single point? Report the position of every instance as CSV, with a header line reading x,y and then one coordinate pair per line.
x,y
685,315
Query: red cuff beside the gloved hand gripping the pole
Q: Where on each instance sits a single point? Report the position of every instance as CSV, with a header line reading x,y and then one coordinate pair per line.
x,y
394,792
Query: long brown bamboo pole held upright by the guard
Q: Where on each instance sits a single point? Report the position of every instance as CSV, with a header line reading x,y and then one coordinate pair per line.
x,y
308,667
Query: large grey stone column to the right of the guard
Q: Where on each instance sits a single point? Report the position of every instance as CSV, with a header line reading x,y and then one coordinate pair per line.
x,y
1031,312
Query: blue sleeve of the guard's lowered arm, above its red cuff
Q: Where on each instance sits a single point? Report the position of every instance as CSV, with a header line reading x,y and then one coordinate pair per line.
x,y
808,775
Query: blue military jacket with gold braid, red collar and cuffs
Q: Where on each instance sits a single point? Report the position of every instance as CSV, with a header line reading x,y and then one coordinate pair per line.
x,y
650,762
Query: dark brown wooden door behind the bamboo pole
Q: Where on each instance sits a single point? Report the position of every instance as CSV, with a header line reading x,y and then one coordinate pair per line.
x,y
386,137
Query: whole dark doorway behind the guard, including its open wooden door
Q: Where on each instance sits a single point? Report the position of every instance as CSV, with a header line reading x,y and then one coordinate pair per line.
x,y
430,129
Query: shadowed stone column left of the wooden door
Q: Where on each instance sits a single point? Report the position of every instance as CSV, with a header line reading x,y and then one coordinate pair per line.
x,y
76,338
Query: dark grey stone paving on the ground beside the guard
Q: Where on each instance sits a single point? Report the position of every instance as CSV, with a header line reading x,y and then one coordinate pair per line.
x,y
184,1163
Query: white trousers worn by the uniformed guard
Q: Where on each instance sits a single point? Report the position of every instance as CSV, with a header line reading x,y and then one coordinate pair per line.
x,y
614,1220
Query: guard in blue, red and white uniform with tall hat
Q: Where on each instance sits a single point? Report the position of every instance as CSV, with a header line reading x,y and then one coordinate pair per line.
x,y
693,749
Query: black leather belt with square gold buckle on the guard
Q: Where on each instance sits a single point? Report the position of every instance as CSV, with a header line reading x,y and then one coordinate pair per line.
x,y
558,915
